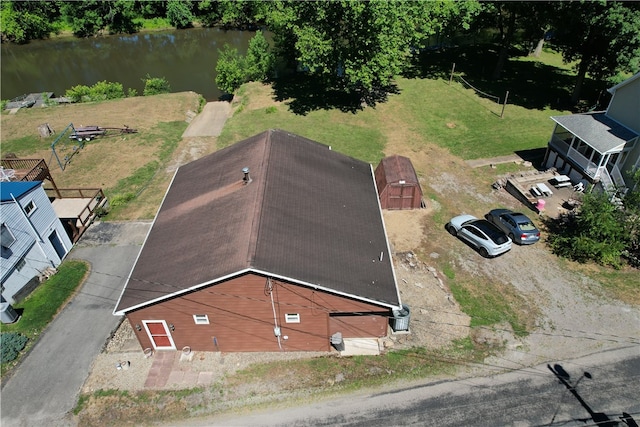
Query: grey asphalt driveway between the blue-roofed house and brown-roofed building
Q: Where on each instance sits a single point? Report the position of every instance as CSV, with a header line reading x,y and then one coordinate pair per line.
x,y
45,387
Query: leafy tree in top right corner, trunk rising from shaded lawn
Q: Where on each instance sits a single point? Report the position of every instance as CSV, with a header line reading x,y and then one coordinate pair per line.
x,y
602,36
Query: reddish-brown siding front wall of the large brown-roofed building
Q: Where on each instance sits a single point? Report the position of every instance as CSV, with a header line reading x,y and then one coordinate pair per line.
x,y
241,317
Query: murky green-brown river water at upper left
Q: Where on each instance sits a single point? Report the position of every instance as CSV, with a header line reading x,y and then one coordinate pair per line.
x,y
186,58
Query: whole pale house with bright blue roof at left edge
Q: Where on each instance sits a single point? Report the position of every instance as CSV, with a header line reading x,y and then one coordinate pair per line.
x,y
33,239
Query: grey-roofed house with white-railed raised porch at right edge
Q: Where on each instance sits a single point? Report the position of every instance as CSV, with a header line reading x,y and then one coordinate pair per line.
x,y
600,148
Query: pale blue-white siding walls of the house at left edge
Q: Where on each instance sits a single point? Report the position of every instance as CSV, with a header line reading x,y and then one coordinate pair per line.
x,y
32,241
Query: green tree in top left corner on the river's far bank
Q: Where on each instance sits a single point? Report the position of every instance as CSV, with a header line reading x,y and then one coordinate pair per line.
x,y
21,21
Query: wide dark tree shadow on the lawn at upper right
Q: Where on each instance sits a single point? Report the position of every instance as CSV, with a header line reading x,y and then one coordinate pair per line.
x,y
531,84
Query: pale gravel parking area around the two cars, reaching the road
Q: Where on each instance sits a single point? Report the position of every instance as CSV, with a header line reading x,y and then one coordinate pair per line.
x,y
576,319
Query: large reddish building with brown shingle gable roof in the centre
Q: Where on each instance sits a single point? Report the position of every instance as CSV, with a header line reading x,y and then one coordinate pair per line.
x,y
272,244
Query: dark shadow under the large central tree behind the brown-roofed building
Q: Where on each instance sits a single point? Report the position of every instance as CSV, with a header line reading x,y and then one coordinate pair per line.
x,y
304,93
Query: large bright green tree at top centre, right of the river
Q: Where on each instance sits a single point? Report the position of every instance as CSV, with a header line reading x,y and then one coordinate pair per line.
x,y
355,46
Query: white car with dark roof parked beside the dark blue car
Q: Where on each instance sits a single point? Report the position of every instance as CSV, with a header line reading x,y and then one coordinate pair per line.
x,y
488,239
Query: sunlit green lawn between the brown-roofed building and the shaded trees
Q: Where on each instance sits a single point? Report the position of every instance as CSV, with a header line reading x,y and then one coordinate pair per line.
x,y
450,116
